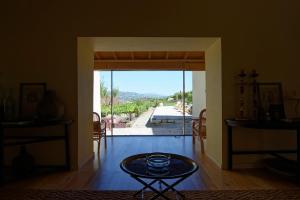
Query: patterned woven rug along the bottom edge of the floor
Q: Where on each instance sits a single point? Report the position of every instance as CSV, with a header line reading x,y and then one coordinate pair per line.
x,y
125,195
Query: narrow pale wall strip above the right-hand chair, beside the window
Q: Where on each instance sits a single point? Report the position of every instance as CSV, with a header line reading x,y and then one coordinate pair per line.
x,y
199,93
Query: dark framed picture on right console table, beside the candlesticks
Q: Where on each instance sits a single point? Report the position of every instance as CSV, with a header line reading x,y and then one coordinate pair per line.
x,y
270,101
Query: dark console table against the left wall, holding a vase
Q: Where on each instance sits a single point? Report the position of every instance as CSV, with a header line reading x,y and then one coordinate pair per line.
x,y
22,138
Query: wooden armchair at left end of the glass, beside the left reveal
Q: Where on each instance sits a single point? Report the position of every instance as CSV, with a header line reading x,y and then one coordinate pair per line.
x,y
99,130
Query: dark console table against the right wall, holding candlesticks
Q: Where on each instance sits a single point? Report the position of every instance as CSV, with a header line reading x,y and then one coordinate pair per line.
x,y
254,124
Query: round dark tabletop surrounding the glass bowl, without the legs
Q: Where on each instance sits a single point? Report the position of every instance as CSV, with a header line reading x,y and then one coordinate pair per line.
x,y
179,166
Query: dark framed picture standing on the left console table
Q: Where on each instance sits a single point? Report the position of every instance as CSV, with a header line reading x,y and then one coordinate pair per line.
x,y
30,96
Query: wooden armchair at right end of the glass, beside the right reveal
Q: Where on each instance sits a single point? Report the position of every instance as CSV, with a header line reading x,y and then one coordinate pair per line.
x,y
199,128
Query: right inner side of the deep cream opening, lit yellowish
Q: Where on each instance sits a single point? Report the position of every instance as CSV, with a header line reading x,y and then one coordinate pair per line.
x,y
214,102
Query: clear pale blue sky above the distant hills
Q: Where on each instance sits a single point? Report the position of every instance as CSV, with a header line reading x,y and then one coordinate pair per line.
x,y
154,82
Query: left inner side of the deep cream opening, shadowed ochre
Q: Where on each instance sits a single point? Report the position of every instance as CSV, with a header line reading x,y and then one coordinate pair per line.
x,y
85,56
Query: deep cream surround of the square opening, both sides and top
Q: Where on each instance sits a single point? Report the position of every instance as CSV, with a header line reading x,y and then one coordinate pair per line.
x,y
212,48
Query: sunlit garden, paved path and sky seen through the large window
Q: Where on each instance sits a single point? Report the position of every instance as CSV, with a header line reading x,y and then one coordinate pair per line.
x,y
146,102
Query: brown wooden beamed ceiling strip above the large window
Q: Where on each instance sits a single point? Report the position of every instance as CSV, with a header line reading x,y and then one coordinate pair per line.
x,y
149,60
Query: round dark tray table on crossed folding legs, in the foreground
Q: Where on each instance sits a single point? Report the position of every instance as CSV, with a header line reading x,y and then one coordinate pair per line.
x,y
175,167
